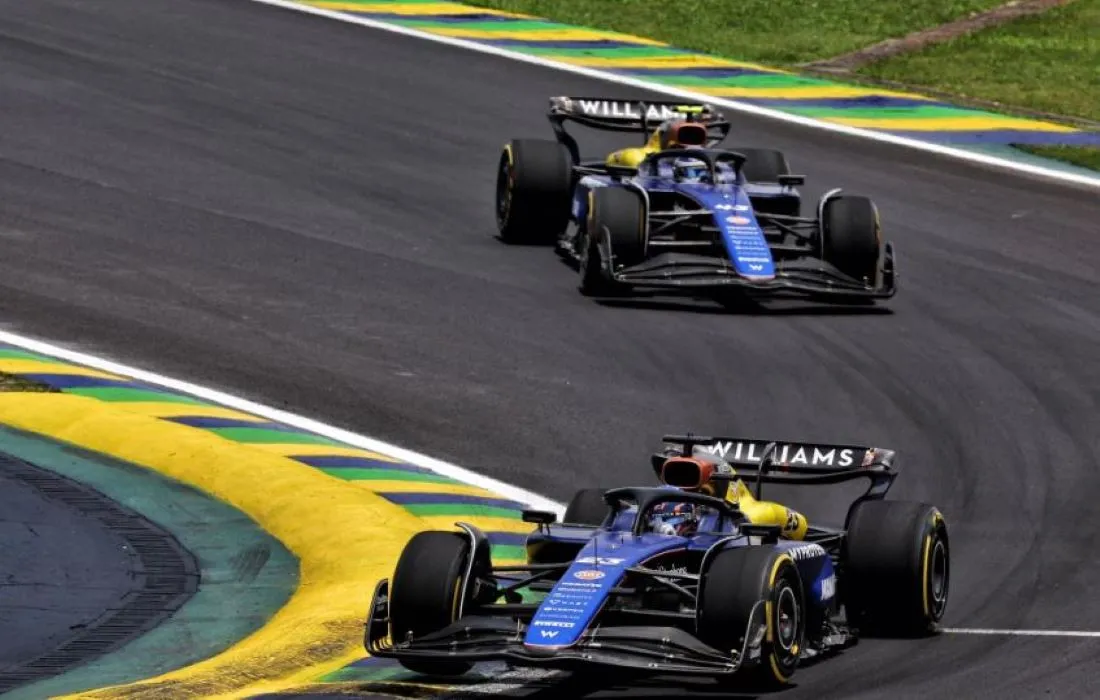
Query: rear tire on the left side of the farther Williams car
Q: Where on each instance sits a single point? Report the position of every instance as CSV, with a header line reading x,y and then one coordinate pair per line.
x,y
534,187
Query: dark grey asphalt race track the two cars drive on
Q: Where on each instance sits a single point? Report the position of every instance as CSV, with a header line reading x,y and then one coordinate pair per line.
x,y
302,212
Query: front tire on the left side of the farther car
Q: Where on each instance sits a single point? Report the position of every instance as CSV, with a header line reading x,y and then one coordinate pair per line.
x,y
617,218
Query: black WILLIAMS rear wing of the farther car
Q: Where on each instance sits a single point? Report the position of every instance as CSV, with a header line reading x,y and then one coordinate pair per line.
x,y
631,116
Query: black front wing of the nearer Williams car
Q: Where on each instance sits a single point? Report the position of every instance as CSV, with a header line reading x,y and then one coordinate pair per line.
x,y
657,650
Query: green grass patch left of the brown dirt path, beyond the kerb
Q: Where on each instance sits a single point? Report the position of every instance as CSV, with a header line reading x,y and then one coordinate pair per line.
x,y
776,32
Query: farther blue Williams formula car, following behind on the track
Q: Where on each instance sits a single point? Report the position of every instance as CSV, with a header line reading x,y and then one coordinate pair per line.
x,y
679,215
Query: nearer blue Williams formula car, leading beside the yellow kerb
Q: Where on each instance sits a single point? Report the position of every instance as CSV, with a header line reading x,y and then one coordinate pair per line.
x,y
730,599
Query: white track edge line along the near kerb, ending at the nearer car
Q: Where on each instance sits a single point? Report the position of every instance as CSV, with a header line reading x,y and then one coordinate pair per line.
x,y
282,417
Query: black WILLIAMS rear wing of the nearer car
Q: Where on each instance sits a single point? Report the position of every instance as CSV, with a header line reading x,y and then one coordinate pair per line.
x,y
765,462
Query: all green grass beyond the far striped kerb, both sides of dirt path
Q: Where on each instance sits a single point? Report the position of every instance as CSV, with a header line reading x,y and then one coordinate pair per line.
x,y
1050,63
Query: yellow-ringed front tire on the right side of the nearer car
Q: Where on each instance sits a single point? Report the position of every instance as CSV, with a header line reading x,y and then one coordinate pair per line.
x,y
733,584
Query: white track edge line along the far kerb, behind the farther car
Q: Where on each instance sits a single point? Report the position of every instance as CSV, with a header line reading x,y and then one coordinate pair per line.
x,y
735,105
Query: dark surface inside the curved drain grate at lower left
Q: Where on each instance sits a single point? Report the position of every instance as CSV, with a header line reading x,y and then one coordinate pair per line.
x,y
61,571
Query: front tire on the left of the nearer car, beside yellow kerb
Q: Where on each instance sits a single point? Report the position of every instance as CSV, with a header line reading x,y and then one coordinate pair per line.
x,y
425,594
